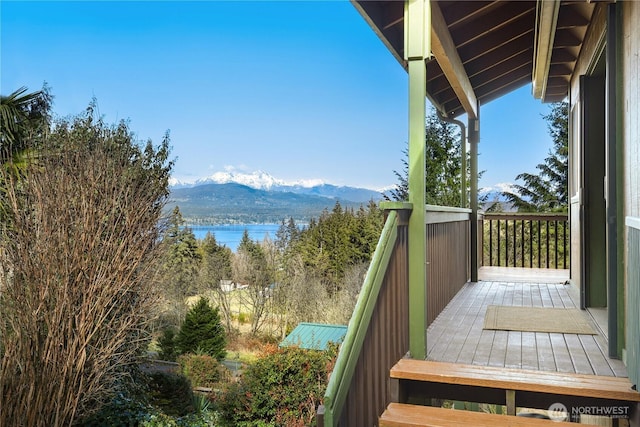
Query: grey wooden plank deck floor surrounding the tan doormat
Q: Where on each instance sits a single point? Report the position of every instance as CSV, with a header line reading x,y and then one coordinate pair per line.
x,y
457,334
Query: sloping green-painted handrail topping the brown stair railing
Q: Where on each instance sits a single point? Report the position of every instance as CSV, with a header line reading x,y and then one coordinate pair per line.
x,y
351,347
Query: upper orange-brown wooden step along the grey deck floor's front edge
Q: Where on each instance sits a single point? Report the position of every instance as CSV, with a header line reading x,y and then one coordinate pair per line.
x,y
570,384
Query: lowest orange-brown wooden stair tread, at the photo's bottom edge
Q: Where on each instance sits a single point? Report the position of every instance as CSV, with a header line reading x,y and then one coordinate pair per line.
x,y
405,415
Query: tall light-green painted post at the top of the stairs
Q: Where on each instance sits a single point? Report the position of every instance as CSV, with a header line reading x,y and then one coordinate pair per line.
x,y
417,49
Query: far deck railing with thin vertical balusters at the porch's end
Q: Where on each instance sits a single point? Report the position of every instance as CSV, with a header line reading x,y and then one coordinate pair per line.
x,y
532,240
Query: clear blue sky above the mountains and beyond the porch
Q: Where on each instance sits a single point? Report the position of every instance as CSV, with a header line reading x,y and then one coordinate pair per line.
x,y
300,90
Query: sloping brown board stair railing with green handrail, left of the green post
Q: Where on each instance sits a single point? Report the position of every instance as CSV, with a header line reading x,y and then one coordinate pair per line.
x,y
377,336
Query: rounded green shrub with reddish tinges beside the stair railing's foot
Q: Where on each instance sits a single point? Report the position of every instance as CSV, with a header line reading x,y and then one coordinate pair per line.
x,y
283,387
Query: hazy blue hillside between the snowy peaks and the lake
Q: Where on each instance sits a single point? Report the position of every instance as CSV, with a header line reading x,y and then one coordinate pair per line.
x,y
233,203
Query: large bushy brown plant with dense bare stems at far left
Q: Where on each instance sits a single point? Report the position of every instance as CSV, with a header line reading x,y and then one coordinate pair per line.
x,y
77,285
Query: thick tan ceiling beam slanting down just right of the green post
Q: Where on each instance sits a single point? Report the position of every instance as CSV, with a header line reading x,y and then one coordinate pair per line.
x,y
444,49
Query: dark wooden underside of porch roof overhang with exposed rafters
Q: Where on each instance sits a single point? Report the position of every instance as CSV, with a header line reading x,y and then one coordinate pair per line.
x,y
483,50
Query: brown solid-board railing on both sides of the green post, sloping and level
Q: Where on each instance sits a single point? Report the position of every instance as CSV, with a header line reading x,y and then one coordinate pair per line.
x,y
378,332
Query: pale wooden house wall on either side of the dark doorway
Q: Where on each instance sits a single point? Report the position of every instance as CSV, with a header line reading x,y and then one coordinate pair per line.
x,y
628,101
